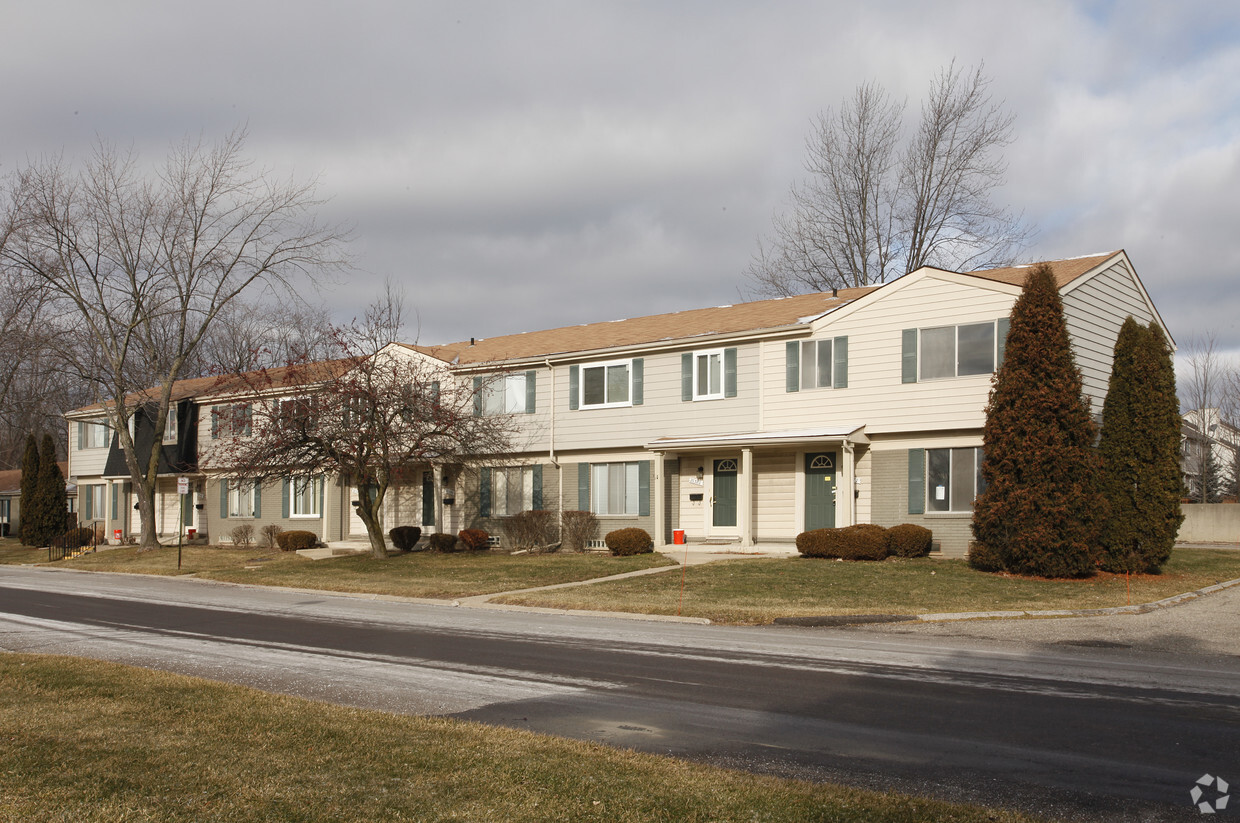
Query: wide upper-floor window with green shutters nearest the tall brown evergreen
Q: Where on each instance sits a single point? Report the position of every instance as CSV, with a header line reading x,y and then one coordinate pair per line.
x,y
953,351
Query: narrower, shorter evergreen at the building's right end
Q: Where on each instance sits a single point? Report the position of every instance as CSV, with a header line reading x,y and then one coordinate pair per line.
x,y
1140,451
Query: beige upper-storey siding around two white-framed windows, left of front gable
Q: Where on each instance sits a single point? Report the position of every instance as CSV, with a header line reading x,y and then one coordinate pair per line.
x,y
663,411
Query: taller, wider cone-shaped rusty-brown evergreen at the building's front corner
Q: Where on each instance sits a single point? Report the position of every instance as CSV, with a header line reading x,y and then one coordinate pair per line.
x,y
1042,506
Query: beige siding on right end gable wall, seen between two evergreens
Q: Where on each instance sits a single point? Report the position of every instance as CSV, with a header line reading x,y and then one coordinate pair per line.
x,y
1096,310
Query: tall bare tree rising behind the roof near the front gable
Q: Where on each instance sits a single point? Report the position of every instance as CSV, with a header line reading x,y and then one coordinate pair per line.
x,y
871,210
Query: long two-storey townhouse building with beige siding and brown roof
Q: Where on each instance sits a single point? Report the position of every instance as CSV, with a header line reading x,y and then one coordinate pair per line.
x,y
736,425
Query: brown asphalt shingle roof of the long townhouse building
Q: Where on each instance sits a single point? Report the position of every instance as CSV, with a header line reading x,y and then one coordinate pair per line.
x,y
697,323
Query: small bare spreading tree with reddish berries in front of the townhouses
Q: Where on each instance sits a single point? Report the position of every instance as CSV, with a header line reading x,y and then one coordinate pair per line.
x,y
369,417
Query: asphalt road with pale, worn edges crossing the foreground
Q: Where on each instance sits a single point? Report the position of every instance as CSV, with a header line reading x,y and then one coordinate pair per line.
x,y
1092,733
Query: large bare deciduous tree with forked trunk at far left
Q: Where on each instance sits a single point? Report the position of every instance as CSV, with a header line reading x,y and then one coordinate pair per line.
x,y
146,265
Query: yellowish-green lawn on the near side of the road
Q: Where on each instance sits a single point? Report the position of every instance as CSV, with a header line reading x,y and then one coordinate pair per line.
x,y
99,743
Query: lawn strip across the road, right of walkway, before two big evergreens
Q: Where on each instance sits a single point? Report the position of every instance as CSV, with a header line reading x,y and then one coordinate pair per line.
x,y
759,591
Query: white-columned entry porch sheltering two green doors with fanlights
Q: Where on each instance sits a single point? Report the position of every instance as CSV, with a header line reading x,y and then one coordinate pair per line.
x,y
731,474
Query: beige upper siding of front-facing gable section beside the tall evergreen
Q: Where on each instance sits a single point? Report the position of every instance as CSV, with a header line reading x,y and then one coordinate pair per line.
x,y
876,396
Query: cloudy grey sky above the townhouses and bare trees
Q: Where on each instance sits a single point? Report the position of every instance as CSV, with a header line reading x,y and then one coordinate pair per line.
x,y
529,165
